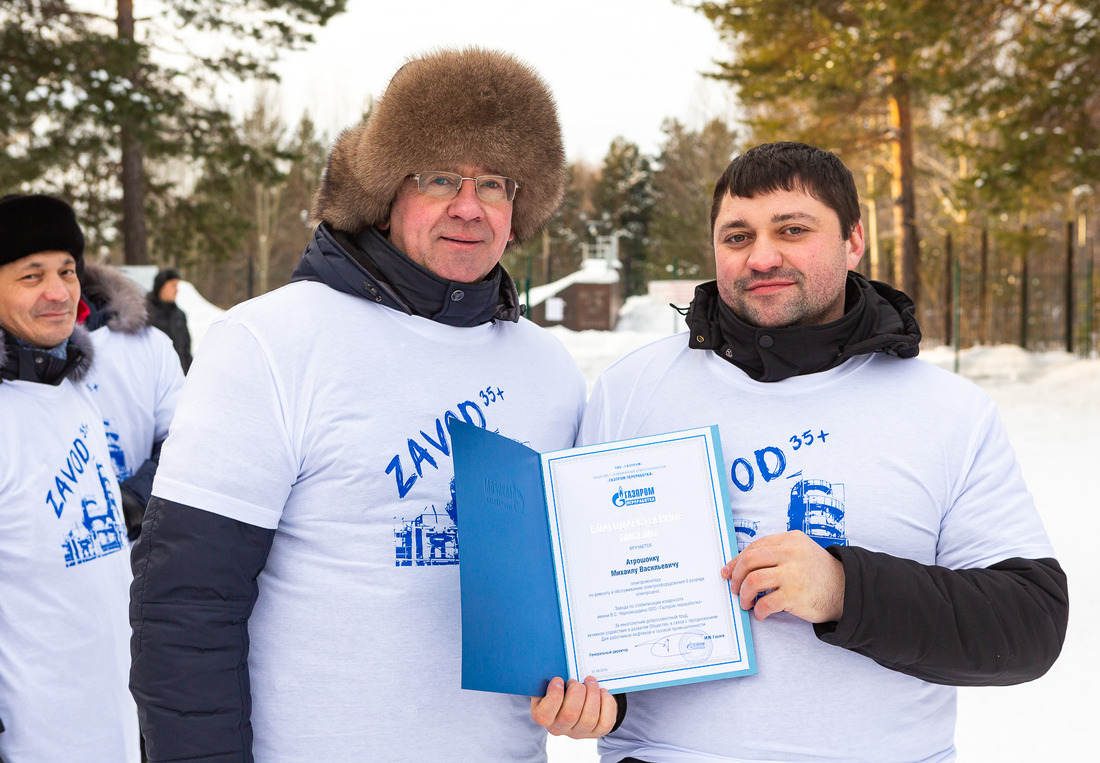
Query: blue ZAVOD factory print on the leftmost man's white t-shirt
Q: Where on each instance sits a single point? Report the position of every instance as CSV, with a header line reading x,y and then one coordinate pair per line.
x,y
83,499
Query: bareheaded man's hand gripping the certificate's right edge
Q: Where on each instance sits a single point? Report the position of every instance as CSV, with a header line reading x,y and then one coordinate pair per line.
x,y
790,573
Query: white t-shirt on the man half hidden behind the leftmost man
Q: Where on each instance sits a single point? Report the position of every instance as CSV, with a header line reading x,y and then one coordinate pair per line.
x,y
137,380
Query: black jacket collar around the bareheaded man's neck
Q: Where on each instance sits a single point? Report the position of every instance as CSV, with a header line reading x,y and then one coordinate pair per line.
x,y
877,319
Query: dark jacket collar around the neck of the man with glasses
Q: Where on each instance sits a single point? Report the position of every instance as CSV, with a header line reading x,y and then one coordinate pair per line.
x,y
369,267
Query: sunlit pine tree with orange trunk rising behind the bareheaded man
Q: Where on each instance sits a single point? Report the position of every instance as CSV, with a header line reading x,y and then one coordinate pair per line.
x,y
848,75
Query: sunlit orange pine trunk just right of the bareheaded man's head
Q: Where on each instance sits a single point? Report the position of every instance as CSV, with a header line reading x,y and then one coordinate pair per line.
x,y
907,250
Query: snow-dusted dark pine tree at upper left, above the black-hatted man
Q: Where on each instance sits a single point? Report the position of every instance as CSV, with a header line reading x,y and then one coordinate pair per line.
x,y
89,104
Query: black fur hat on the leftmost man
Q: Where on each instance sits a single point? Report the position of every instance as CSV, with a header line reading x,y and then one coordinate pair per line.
x,y
30,225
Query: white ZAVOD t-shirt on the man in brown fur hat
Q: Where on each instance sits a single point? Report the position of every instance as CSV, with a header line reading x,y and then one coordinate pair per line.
x,y
324,416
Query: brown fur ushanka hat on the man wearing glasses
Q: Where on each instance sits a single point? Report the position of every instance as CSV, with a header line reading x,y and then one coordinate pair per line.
x,y
449,108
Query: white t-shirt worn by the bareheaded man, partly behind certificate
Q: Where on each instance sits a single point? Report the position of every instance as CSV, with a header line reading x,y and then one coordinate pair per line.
x,y
893,456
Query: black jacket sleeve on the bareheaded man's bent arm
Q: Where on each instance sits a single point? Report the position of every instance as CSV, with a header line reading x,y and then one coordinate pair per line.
x,y
994,626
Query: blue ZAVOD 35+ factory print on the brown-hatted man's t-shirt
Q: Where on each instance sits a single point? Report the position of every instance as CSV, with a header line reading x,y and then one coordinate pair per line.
x,y
431,537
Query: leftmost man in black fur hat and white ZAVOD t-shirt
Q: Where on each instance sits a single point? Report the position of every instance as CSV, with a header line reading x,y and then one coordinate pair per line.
x,y
64,563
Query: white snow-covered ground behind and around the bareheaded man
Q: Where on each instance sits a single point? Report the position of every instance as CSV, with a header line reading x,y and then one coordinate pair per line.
x,y
1051,406
